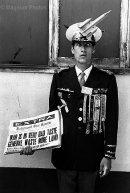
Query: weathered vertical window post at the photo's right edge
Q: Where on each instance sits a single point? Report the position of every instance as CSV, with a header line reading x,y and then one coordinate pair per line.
x,y
125,34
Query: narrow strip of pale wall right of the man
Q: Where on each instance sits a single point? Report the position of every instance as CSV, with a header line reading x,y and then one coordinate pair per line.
x,y
122,162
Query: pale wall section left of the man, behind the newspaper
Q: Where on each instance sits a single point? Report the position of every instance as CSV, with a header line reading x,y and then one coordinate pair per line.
x,y
22,95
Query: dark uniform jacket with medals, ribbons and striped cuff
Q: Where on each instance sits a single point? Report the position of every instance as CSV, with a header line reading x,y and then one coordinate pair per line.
x,y
89,125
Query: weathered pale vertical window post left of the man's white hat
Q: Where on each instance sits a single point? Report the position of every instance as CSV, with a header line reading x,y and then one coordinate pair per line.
x,y
53,31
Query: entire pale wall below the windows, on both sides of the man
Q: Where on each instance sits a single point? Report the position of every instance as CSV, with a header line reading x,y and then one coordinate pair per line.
x,y
26,94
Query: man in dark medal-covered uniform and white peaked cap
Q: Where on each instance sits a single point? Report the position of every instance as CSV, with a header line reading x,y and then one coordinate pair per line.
x,y
88,100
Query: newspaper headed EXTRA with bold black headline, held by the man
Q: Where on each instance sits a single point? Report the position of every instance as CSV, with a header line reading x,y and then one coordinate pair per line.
x,y
40,132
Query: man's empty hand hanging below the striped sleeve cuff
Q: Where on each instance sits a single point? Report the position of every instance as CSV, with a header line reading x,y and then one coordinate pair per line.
x,y
105,166
